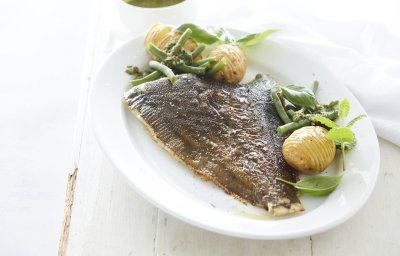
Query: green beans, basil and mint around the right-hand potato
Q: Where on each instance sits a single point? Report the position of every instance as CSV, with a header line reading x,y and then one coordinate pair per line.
x,y
303,109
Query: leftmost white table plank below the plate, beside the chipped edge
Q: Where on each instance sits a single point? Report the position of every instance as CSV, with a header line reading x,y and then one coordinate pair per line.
x,y
108,217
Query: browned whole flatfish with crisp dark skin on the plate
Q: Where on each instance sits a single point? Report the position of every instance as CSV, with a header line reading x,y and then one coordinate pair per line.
x,y
226,133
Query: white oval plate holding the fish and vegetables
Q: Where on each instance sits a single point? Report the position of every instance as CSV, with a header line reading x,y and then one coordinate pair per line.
x,y
172,187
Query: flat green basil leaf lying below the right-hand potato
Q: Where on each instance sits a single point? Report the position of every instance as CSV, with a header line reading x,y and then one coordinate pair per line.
x,y
316,185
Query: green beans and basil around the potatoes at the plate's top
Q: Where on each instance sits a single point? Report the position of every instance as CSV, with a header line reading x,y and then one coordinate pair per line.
x,y
175,58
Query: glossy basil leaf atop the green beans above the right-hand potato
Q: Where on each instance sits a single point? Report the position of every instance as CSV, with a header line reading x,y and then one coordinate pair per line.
x,y
299,96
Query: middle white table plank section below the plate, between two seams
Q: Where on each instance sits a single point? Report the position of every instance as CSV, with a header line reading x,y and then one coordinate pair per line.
x,y
175,237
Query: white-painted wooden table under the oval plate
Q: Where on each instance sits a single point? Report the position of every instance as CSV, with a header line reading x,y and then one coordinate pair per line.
x,y
109,218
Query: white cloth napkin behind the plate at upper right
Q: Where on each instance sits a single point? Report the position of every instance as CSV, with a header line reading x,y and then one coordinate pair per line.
x,y
365,55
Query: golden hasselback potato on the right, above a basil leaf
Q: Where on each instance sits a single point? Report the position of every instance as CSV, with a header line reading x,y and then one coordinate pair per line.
x,y
309,150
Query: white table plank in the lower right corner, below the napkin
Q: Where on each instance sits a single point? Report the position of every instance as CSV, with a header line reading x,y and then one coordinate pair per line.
x,y
374,230
